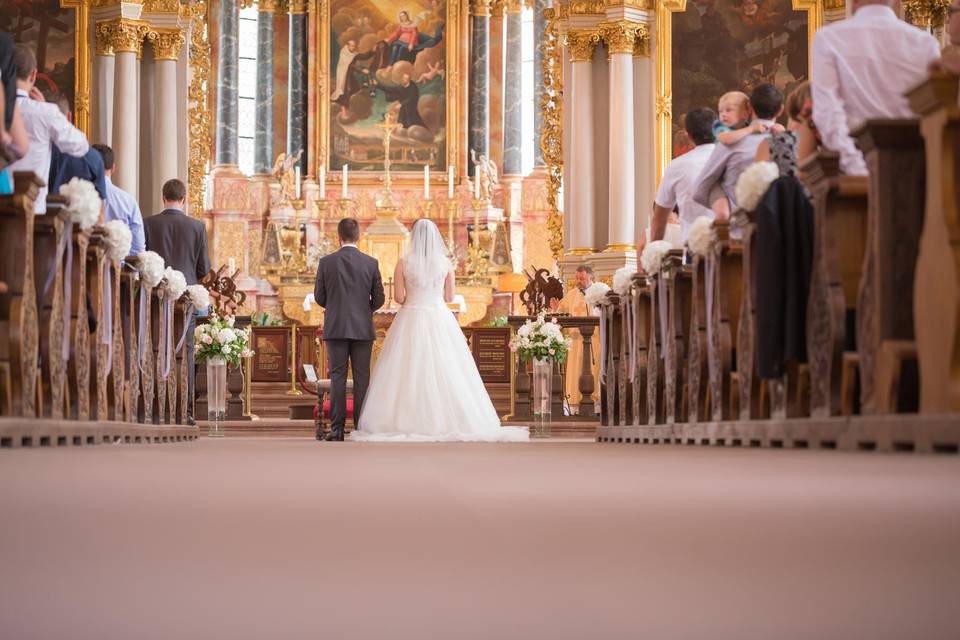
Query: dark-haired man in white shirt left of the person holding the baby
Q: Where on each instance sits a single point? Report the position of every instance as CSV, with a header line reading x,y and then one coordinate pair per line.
x,y
678,181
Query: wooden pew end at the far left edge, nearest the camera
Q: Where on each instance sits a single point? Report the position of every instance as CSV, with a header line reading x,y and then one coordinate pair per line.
x,y
19,321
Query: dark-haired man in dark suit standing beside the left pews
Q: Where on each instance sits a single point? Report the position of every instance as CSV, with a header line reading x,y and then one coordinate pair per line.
x,y
182,243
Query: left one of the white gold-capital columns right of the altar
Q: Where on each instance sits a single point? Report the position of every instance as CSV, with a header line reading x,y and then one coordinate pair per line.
x,y
580,175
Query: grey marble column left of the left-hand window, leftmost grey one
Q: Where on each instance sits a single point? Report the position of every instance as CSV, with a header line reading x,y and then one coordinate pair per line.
x,y
227,68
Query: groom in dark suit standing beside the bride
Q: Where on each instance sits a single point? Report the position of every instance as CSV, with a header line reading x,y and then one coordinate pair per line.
x,y
350,289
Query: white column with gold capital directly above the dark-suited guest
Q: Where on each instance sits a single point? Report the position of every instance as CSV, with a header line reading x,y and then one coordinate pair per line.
x,y
167,44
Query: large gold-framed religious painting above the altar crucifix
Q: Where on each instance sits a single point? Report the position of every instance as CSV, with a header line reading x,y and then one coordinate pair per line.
x,y
386,61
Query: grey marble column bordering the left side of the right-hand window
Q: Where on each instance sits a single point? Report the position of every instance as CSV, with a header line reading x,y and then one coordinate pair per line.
x,y
513,93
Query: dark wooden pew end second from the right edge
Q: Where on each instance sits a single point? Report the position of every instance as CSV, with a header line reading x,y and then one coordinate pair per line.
x,y
885,337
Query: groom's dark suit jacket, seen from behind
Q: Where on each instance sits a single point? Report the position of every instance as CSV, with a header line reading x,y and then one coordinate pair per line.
x,y
350,289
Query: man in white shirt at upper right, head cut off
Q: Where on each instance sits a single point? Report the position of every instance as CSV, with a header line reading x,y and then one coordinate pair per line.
x,y
861,67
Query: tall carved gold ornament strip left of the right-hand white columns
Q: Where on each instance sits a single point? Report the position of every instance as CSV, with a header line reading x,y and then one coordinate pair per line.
x,y
551,137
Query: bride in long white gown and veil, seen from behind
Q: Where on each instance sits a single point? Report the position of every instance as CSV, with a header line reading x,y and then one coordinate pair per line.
x,y
425,386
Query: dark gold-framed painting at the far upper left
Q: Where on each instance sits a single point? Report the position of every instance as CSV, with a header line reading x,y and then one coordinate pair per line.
x,y
51,31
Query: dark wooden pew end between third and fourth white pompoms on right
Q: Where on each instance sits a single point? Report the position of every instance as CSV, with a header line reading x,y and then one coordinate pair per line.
x,y
678,280
